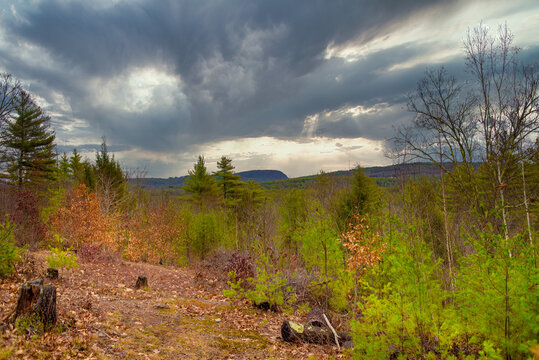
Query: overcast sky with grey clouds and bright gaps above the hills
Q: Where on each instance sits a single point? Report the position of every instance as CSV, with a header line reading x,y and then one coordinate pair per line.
x,y
299,86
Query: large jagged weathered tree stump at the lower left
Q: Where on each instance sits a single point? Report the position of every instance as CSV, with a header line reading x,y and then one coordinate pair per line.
x,y
34,298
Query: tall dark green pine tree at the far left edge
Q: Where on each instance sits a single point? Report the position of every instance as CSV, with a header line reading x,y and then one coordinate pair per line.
x,y
29,144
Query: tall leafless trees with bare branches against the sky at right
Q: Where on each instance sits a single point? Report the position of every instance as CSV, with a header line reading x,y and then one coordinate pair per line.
x,y
493,118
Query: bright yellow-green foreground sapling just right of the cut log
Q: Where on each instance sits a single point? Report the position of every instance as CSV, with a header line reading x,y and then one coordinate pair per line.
x,y
402,306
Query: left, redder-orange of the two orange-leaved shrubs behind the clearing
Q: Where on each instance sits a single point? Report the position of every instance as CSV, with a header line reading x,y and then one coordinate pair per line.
x,y
80,220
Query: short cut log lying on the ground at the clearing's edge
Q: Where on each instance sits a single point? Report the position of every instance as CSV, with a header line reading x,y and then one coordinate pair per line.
x,y
292,331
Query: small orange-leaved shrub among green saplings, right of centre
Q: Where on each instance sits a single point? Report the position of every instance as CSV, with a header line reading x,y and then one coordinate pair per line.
x,y
365,248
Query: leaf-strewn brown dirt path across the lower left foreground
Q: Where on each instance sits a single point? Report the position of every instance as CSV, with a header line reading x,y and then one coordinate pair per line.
x,y
177,317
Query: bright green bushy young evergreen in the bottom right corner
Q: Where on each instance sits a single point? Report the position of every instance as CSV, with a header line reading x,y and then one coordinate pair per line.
x,y
498,296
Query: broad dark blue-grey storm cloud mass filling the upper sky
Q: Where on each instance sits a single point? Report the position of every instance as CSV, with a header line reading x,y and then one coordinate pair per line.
x,y
246,68
